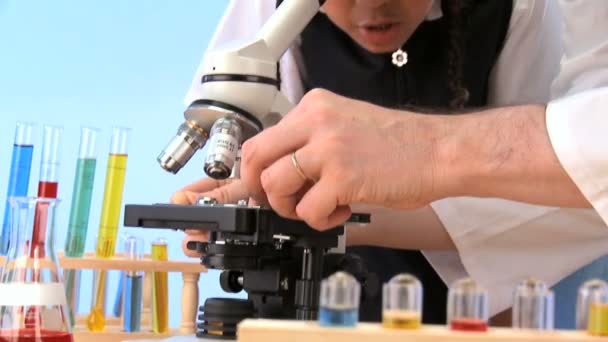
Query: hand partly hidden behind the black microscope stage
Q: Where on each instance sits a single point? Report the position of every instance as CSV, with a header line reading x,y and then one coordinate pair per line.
x,y
224,191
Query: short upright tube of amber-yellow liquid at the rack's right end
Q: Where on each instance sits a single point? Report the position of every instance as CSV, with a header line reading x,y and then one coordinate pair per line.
x,y
160,291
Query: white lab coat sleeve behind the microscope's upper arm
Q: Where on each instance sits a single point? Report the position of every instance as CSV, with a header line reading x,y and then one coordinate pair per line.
x,y
241,21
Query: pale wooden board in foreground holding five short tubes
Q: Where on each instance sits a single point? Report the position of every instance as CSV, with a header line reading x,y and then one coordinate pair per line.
x,y
300,331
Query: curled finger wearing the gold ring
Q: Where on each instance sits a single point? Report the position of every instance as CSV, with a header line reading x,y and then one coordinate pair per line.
x,y
284,185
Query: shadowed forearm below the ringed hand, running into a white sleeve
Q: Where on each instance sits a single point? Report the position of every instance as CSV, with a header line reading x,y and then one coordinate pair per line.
x,y
401,229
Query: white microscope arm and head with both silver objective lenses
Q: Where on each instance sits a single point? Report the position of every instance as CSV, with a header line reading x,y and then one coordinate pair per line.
x,y
239,94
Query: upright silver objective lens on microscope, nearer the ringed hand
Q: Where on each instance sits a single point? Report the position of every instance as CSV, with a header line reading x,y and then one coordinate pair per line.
x,y
225,139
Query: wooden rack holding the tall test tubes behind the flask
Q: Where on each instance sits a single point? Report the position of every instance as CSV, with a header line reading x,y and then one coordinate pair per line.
x,y
113,331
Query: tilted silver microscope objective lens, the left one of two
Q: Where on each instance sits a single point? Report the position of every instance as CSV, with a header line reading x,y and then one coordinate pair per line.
x,y
190,138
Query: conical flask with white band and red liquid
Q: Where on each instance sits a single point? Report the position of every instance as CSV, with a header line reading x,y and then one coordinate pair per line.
x,y
33,306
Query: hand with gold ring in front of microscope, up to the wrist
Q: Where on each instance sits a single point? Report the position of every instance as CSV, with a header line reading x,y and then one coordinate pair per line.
x,y
348,152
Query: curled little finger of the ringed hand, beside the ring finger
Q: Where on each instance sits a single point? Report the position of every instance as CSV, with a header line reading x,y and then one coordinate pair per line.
x,y
320,208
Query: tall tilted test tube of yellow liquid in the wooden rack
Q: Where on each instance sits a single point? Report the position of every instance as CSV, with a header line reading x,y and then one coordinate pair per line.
x,y
108,226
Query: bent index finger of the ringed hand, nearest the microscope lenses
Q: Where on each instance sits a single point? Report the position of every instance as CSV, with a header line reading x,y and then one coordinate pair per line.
x,y
267,147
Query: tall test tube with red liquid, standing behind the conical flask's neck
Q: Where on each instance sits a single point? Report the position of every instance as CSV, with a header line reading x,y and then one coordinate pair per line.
x,y
48,183
